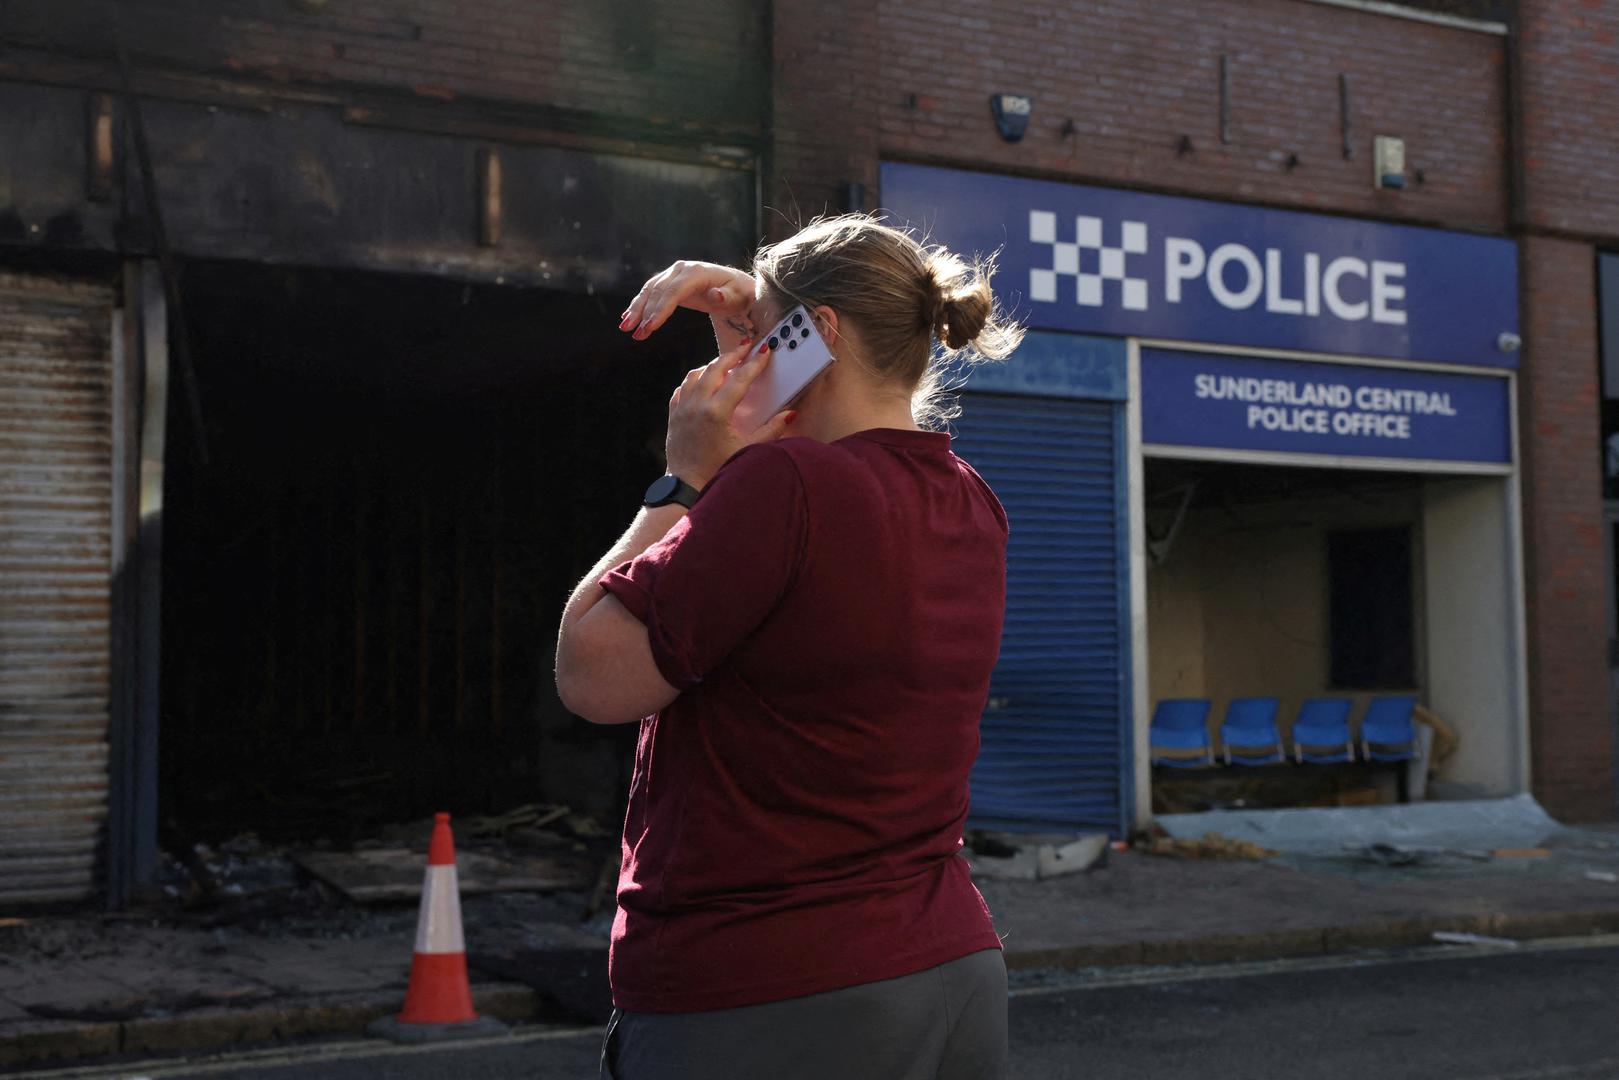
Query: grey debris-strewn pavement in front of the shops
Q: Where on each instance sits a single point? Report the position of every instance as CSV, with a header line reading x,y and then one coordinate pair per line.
x,y
83,987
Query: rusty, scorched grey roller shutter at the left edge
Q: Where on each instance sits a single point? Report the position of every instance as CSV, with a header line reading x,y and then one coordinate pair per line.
x,y
56,503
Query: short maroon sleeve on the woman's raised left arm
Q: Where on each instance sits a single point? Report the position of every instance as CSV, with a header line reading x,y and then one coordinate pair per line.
x,y
723,569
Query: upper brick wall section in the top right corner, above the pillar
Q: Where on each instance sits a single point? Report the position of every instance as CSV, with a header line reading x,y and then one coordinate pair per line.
x,y
1570,85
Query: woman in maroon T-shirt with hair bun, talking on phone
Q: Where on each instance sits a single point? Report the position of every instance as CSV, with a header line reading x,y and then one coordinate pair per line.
x,y
812,648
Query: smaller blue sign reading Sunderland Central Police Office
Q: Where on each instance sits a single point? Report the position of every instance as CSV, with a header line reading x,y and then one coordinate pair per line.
x,y
1299,407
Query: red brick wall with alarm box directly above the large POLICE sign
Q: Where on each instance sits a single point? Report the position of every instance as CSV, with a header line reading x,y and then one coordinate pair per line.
x,y
1134,77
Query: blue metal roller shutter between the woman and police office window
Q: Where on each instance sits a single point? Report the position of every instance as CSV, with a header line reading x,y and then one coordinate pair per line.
x,y
1055,744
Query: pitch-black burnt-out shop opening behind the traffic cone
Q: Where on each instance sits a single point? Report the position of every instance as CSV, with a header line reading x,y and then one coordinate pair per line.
x,y
362,587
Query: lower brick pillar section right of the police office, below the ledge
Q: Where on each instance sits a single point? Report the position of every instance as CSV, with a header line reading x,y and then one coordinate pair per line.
x,y
1571,734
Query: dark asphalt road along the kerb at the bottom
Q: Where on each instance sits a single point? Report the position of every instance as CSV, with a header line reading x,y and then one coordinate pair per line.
x,y
1540,1013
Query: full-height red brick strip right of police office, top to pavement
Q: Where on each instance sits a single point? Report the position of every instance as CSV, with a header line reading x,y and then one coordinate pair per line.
x,y
1568,75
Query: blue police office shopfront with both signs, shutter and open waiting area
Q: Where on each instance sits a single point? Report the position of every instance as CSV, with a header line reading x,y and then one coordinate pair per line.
x,y
1246,454
